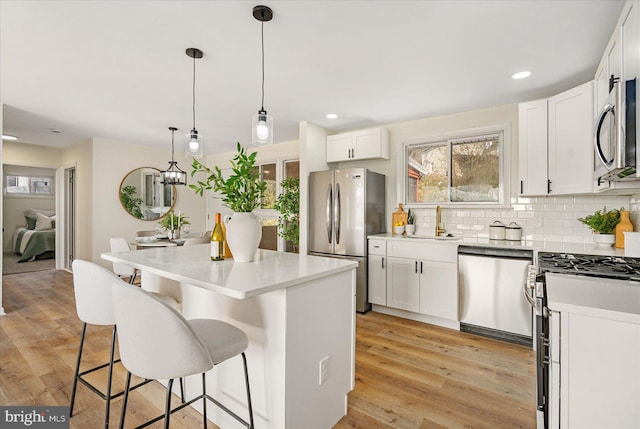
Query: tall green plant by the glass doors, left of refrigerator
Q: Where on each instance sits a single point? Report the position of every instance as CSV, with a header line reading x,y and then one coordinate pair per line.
x,y
288,204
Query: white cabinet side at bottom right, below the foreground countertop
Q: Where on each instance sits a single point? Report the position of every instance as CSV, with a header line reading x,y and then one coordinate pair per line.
x,y
599,372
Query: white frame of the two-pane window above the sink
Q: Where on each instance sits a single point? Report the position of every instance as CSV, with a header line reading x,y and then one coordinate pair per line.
x,y
449,138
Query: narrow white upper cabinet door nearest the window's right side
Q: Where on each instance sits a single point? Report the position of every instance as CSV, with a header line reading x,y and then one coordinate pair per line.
x,y
533,147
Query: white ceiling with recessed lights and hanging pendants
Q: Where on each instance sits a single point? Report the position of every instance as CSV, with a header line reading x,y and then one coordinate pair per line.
x,y
118,69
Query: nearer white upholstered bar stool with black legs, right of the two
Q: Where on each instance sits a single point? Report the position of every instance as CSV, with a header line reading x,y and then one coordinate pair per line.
x,y
157,342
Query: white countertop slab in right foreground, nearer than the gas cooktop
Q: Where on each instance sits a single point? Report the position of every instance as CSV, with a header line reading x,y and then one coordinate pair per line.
x,y
594,296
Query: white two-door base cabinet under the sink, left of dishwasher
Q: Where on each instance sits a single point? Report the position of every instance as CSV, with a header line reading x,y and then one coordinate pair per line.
x,y
423,278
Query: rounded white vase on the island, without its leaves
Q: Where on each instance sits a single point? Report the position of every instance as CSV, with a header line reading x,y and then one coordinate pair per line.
x,y
243,236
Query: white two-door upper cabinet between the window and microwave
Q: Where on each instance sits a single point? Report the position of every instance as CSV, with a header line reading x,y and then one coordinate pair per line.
x,y
555,143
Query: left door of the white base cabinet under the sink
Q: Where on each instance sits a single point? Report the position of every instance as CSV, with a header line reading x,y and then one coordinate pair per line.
x,y
403,289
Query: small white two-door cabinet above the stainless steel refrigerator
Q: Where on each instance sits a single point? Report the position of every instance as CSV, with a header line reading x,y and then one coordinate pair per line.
x,y
357,145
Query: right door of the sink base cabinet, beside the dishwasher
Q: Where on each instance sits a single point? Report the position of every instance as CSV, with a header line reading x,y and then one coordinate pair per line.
x,y
439,289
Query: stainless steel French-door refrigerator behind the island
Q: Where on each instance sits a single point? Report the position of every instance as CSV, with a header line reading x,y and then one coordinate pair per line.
x,y
345,206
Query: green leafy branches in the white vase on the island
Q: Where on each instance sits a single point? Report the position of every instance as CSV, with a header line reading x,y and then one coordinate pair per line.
x,y
242,191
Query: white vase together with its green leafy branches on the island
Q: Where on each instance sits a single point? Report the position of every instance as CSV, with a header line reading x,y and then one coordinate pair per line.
x,y
242,192
